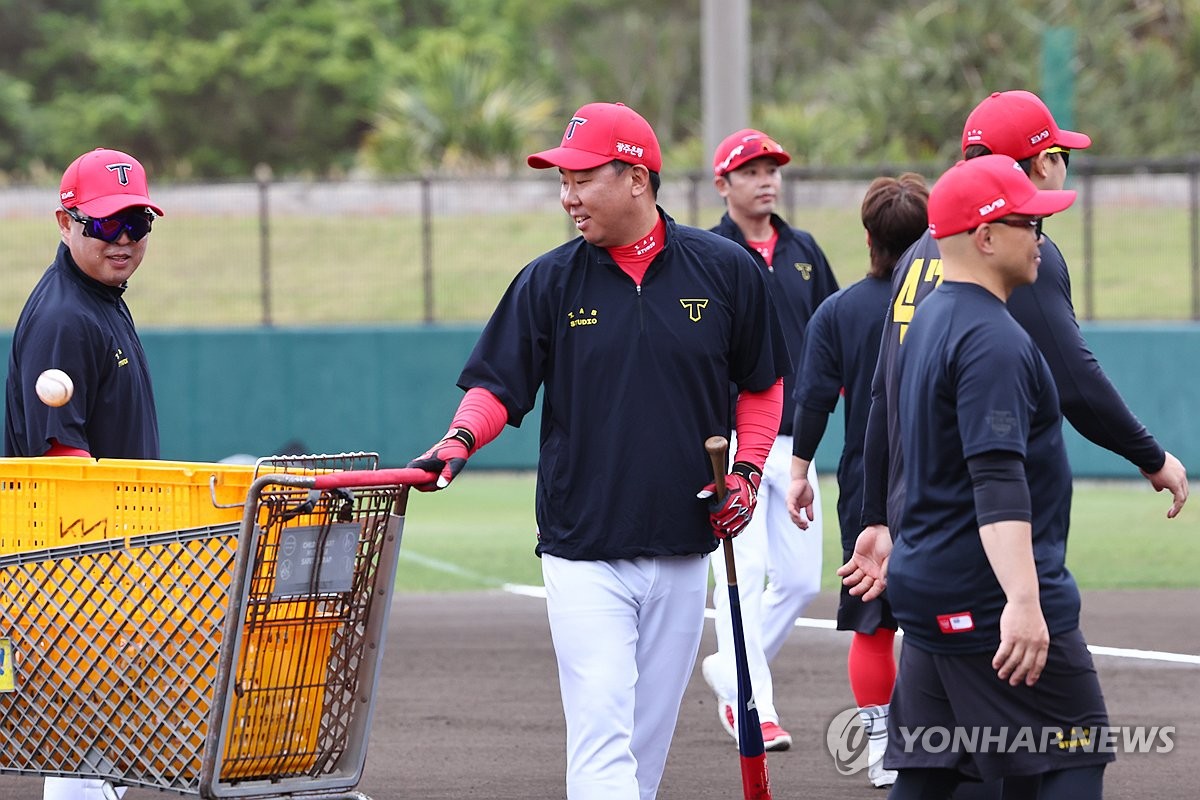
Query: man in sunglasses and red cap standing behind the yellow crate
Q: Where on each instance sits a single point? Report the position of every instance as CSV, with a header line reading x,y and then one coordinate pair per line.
x,y
76,321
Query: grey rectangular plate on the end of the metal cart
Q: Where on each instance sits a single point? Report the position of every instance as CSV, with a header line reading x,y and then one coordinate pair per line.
x,y
304,568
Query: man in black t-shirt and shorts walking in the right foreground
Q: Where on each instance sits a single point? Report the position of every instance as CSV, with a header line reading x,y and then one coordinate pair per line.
x,y
977,574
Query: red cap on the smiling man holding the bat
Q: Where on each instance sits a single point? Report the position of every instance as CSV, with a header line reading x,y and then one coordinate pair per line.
x,y
599,134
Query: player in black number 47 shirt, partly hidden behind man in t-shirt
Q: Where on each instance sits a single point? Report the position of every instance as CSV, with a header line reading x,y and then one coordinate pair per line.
x,y
1019,125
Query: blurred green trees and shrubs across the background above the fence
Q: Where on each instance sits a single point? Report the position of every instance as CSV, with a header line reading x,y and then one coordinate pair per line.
x,y
321,87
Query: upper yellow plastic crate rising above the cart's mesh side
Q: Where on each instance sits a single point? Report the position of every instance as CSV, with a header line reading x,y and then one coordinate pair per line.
x,y
53,502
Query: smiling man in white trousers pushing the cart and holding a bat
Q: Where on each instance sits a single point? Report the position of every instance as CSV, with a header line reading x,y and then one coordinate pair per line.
x,y
634,332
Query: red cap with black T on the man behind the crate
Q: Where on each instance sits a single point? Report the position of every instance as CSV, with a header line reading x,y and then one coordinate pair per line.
x,y
105,182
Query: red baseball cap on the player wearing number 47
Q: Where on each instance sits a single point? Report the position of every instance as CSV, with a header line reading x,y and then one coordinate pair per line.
x,y
1019,125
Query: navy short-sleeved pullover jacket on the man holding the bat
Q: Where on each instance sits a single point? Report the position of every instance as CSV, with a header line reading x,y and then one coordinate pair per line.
x,y
635,380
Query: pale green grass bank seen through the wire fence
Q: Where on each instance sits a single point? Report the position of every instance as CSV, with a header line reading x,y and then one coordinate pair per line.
x,y
206,272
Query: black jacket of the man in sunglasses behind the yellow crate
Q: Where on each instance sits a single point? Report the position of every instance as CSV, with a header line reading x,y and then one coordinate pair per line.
x,y
82,327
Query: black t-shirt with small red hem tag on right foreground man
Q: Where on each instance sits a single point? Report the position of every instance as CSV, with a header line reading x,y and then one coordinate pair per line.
x,y
973,382
